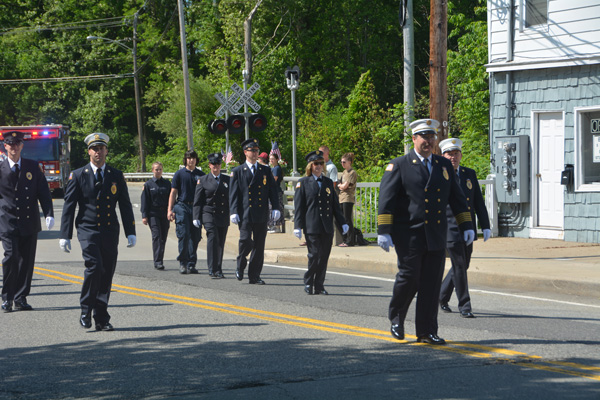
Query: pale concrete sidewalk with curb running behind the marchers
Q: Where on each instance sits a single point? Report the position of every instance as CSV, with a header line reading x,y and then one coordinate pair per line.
x,y
524,264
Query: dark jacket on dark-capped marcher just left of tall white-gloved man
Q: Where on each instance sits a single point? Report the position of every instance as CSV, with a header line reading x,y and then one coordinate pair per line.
x,y
211,201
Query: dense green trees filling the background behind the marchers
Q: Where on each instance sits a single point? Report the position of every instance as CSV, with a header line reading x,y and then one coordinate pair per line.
x,y
349,53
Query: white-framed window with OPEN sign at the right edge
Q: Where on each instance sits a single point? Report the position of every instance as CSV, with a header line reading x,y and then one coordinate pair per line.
x,y
587,149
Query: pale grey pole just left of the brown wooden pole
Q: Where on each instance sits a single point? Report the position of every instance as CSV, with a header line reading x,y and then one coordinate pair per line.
x,y
408,36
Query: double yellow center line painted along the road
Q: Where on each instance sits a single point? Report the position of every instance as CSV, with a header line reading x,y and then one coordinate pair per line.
x,y
467,349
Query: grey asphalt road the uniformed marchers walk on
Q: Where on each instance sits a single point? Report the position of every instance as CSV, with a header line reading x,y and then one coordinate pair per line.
x,y
188,337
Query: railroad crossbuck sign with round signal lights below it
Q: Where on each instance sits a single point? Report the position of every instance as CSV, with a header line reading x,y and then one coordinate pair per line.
x,y
233,104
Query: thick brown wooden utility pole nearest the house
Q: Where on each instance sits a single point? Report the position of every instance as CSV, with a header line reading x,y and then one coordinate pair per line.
x,y
438,84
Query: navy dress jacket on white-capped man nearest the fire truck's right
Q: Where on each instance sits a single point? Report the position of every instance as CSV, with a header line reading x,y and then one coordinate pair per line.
x,y
97,213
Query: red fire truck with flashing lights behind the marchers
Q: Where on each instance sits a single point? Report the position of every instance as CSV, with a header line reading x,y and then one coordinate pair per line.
x,y
49,145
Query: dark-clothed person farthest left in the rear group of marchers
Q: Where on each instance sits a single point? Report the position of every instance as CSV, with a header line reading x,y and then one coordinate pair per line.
x,y
155,202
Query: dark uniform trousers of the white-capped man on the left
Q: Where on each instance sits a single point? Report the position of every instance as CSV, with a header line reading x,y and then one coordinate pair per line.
x,y
99,253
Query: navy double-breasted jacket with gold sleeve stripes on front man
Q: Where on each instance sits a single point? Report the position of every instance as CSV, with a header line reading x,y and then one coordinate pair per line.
x,y
410,199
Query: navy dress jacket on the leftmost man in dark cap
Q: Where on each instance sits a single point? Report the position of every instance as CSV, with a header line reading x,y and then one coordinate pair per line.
x,y
19,212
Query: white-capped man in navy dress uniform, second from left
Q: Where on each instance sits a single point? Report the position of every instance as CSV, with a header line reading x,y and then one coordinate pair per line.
x,y
96,189
